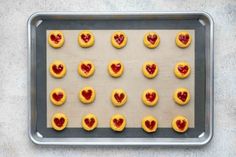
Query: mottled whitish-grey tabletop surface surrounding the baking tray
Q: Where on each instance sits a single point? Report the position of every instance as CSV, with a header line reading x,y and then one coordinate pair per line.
x,y
14,139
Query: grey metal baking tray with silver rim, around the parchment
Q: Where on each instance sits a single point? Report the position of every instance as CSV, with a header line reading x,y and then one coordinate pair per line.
x,y
200,22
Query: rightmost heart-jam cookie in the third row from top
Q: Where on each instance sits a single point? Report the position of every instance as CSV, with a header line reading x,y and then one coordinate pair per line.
x,y
181,96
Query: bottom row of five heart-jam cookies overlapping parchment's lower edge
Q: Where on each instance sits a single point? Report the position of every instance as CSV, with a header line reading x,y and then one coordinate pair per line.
x,y
118,123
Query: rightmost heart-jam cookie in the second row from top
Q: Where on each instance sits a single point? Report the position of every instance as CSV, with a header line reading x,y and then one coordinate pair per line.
x,y
182,70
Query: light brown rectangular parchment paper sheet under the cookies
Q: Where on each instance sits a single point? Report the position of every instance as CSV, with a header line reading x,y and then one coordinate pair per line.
x,y
132,81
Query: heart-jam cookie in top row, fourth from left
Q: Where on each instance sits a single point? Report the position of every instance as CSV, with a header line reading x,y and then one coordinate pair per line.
x,y
151,40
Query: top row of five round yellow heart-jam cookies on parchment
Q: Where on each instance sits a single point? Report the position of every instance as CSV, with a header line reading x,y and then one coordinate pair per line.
x,y
118,39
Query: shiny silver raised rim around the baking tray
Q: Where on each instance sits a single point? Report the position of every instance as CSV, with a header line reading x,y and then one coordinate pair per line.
x,y
202,140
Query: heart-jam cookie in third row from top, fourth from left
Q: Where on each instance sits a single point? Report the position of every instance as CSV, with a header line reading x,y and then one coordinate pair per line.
x,y
150,97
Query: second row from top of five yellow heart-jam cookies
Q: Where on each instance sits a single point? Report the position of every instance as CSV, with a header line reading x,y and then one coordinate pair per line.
x,y
86,69
